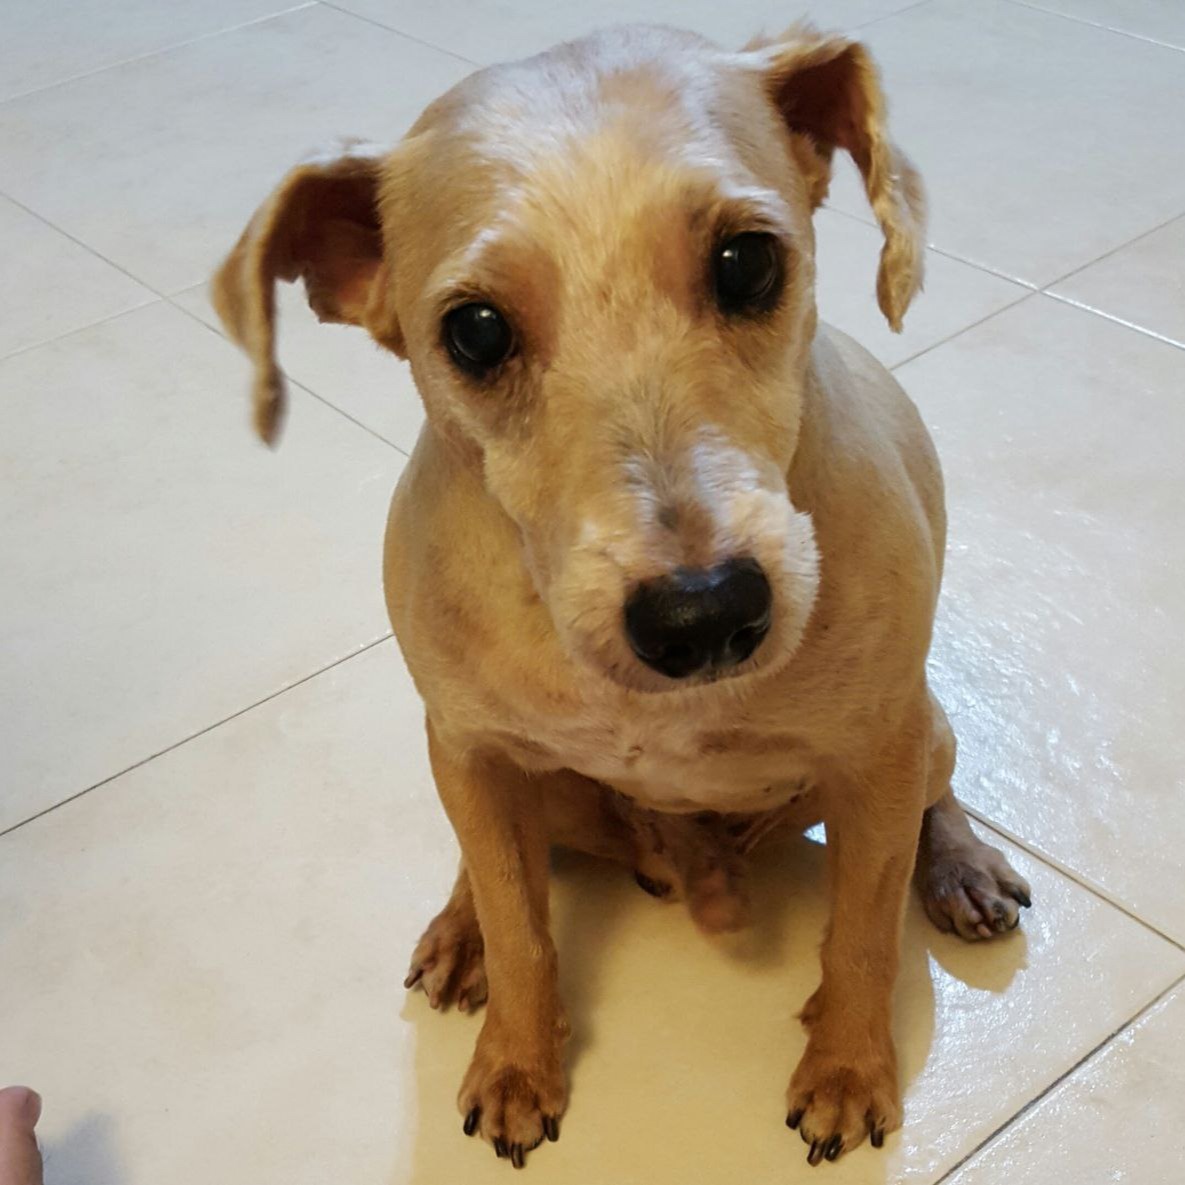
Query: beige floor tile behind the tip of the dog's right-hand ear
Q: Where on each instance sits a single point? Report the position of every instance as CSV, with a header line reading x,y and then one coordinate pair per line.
x,y
956,294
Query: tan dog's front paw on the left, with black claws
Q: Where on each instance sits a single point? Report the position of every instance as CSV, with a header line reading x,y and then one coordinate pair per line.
x,y
513,1103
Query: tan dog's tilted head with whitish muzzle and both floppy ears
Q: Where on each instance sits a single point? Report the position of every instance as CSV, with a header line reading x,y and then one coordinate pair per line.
x,y
600,264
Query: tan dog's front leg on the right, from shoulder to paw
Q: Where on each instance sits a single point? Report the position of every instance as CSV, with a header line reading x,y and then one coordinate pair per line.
x,y
845,1087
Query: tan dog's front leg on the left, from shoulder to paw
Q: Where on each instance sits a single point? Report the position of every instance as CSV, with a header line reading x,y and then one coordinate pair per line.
x,y
515,1090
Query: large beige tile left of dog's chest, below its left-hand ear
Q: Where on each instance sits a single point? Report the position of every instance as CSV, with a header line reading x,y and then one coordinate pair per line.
x,y
159,568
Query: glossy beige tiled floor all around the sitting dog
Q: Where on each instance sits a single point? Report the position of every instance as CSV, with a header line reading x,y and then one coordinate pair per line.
x,y
219,837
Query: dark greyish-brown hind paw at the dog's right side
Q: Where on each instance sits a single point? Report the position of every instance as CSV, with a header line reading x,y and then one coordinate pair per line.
x,y
973,893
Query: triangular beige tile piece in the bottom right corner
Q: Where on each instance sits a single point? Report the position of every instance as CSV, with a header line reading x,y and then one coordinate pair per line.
x,y
1119,1119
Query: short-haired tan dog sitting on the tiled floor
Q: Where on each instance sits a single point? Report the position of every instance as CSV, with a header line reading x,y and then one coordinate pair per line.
x,y
664,565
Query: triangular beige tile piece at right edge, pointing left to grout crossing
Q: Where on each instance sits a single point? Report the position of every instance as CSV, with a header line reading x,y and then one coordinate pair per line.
x,y
1143,284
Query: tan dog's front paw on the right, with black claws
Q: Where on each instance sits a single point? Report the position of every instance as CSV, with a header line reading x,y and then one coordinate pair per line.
x,y
836,1101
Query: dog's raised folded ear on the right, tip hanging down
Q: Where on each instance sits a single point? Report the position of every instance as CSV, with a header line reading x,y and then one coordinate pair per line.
x,y
828,92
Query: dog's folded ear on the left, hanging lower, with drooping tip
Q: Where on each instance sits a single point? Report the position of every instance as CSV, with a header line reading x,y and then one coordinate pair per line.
x,y
322,226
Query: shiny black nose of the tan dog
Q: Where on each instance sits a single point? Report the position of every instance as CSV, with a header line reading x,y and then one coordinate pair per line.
x,y
694,619
